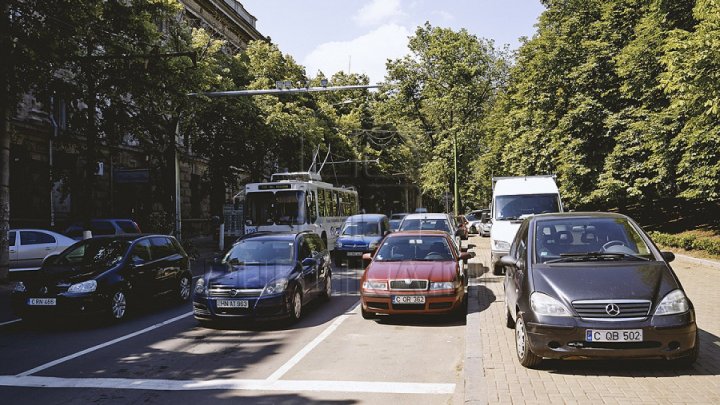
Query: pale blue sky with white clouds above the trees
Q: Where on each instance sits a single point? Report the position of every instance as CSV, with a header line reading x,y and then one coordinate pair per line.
x,y
359,36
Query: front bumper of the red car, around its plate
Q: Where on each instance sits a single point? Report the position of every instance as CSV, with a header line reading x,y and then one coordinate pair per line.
x,y
435,303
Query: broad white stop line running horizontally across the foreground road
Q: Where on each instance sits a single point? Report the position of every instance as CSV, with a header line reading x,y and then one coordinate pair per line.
x,y
230,384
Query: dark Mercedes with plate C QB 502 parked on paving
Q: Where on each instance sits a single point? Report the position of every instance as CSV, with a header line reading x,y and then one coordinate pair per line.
x,y
593,285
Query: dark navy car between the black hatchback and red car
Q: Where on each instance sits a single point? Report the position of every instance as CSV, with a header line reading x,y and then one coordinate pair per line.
x,y
265,275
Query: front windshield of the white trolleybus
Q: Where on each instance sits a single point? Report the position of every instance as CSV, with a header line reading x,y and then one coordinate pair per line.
x,y
280,208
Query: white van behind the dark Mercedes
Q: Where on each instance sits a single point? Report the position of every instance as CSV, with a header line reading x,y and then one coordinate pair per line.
x,y
515,198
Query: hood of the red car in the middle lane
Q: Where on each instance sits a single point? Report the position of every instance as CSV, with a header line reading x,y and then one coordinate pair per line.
x,y
422,270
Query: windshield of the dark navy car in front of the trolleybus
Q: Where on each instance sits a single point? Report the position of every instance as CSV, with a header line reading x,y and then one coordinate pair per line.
x,y
253,252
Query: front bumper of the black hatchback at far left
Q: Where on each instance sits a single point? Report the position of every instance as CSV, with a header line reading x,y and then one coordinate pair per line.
x,y
66,305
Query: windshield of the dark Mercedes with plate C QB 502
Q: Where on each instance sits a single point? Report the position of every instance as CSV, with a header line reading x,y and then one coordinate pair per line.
x,y
573,239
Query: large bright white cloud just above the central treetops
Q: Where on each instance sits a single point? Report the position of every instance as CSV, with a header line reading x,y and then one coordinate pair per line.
x,y
366,54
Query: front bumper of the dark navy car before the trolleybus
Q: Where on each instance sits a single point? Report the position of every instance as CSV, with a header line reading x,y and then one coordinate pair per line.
x,y
270,307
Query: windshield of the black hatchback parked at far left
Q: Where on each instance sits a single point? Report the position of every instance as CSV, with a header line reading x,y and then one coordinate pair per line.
x,y
100,253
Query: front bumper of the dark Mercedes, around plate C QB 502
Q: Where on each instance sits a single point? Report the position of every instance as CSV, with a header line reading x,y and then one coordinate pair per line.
x,y
668,337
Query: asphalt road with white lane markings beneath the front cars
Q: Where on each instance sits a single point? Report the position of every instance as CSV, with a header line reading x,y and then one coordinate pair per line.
x,y
161,355
